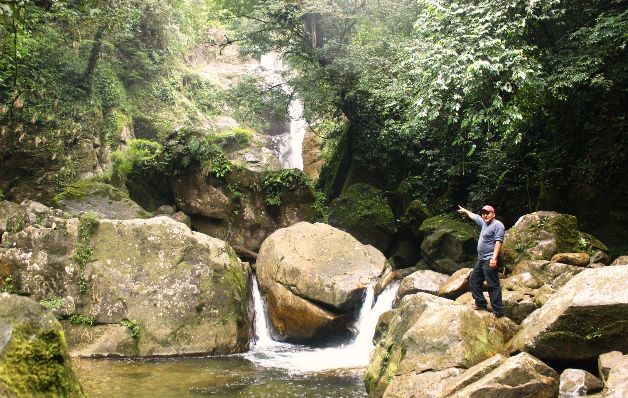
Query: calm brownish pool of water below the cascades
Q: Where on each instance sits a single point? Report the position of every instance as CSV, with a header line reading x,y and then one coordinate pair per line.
x,y
233,376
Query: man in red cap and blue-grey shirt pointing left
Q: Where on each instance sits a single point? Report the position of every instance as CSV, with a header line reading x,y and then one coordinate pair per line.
x,y
489,246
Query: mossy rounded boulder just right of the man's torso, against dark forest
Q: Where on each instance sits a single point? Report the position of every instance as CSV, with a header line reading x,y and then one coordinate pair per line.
x,y
541,235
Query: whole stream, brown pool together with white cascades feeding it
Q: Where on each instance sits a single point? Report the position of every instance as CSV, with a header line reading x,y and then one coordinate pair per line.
x,y
269,369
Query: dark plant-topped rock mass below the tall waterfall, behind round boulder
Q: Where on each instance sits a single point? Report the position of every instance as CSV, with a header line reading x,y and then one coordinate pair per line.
x,y
234,208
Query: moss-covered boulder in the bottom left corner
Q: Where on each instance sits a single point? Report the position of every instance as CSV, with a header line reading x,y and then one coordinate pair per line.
x,y
34,358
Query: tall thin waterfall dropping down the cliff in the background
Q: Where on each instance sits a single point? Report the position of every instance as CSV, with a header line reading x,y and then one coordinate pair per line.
x,y
290,142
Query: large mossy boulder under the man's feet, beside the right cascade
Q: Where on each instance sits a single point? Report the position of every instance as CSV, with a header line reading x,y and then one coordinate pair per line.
x,y
429,334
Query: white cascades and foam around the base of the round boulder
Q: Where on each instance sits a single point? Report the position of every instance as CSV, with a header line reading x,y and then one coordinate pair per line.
x,y
297,358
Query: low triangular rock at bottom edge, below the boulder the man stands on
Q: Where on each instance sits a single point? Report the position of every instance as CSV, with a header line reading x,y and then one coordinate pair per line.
x,y
518,376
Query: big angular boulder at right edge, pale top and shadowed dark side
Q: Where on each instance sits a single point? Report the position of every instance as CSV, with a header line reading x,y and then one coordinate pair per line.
x,y
585,318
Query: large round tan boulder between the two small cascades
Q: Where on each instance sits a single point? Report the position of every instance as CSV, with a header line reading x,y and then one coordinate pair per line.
x,y
314,275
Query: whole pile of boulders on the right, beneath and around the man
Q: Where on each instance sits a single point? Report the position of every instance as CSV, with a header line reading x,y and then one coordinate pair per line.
x,y
564,311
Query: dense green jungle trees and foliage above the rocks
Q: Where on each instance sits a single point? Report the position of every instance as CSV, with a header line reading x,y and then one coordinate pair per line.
x,y
520,103
